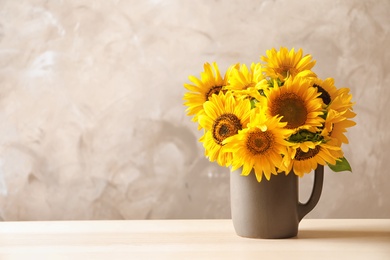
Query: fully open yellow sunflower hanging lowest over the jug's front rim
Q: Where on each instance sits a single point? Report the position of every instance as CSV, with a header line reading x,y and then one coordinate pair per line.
x,y
260,146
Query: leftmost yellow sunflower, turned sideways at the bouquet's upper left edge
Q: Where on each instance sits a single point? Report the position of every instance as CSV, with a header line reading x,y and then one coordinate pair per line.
x,y
211,82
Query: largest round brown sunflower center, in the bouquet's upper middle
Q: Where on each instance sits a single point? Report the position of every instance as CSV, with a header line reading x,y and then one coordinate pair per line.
x,y
292,109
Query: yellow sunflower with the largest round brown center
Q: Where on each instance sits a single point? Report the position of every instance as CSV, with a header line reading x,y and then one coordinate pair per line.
x,y
296,102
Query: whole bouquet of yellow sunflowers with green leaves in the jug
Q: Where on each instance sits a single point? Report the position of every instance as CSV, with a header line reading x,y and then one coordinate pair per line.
x,y
274,116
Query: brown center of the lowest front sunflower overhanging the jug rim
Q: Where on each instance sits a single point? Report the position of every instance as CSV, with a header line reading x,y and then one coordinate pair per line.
x,y
259,142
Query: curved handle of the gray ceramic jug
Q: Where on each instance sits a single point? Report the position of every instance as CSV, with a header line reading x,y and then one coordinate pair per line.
x,y
304,208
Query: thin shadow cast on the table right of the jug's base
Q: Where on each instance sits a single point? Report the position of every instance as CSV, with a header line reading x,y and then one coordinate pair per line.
x,y
324,234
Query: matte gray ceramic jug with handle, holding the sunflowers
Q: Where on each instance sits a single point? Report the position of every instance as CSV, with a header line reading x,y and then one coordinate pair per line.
x,y
270,209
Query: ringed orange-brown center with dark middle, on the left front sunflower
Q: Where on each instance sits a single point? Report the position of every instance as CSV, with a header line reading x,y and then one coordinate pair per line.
x,y
224,126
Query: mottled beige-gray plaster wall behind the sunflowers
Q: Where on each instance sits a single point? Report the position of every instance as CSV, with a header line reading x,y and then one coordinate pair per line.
x,y
92,124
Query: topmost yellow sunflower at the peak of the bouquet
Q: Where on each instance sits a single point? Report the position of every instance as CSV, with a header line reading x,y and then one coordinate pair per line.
x,y
283,63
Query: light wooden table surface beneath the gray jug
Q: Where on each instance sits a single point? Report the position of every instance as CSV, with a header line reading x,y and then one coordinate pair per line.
x,y
190,239
